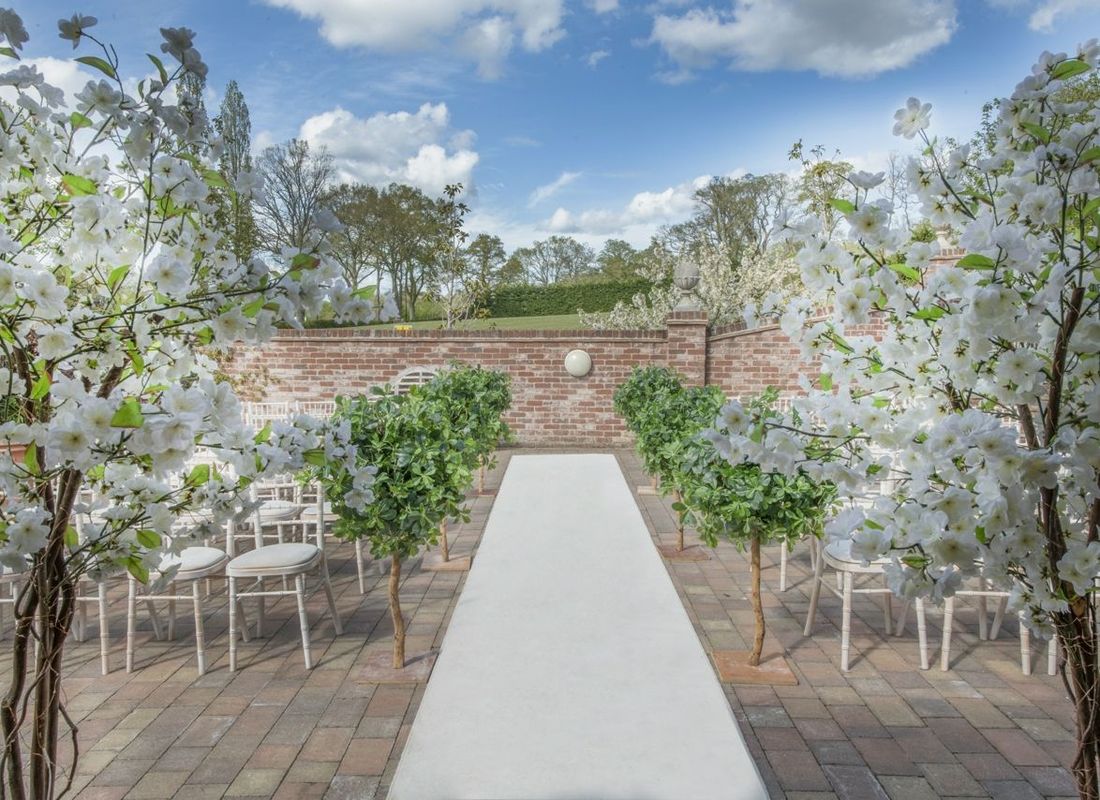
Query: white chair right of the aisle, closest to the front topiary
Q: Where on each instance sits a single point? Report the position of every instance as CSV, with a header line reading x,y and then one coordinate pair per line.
x,y
838,555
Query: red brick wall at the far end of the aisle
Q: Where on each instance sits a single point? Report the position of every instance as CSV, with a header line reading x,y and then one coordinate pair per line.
x,y
551,407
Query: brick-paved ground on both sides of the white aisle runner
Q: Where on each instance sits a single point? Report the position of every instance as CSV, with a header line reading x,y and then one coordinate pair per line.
x,y
885,730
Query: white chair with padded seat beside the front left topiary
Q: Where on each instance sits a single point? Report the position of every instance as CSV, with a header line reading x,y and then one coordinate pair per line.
x,y
283,561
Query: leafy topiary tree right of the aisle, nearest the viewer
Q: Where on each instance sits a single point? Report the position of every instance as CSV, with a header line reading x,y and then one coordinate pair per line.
x,y
750,507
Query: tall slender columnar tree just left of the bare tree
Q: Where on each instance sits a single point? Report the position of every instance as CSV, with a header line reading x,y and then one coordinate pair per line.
x,y
235,212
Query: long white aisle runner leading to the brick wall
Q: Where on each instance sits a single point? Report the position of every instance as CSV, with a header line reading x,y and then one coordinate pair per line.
x,y
570,670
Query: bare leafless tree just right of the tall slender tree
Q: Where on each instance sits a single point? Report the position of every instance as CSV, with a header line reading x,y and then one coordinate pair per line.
x,y
296,181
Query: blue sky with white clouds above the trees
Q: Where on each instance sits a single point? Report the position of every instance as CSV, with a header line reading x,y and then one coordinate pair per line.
x,y
587,117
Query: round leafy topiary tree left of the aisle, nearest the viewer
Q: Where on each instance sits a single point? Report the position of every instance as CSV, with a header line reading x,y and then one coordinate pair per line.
x,y
414,448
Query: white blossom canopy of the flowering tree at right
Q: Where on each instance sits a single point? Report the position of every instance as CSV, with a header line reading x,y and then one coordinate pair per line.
x,y
969,393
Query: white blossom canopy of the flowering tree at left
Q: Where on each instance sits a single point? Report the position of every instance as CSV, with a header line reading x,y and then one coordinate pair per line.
x,y
114,281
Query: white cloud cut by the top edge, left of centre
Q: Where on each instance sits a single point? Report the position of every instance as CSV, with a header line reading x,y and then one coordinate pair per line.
x,y
483,30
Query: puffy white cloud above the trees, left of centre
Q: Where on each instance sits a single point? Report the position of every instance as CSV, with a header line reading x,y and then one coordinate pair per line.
x,y
417,149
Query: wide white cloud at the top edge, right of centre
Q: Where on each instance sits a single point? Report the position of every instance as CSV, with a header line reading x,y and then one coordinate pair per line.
x,y
841,38
